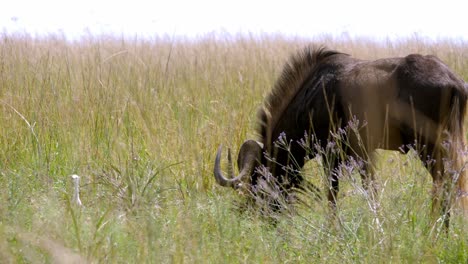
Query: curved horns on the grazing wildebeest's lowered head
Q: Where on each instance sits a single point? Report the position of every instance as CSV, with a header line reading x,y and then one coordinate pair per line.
x,y
249,154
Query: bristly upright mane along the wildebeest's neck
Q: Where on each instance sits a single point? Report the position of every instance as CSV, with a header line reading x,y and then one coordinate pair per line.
x,y
294,74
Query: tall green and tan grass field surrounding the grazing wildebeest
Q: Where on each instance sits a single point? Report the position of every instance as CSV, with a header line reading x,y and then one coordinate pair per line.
x,y
140,122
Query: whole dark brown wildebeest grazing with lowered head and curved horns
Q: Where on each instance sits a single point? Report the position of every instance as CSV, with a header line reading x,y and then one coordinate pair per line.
x,y
412,101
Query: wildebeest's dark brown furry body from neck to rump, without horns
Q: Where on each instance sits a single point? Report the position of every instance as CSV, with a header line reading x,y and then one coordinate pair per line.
x,y
408,100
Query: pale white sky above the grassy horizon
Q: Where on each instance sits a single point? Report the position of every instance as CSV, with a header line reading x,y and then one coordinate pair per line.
x,y
379,19
